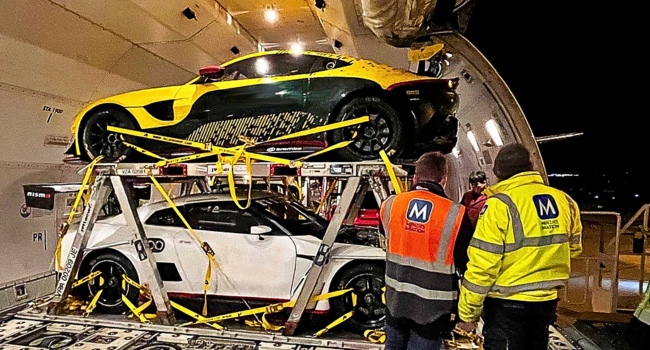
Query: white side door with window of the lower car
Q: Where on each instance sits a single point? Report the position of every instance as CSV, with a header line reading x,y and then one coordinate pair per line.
x,y
250,265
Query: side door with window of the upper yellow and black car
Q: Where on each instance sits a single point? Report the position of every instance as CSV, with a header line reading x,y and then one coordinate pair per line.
x,y
259,97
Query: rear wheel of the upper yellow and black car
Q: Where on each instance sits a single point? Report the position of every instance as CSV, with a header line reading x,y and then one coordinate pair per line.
x,y
384,131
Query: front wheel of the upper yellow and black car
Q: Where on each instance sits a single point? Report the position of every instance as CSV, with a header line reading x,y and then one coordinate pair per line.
x,y
96,140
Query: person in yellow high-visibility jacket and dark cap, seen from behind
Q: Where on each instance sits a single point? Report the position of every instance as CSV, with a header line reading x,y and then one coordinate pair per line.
x,y
519,256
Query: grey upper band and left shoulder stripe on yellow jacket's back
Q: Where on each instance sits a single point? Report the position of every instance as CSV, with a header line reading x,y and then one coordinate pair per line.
x,y
521,240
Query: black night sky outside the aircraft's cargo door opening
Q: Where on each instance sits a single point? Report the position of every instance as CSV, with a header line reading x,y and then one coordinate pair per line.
x,y
567,67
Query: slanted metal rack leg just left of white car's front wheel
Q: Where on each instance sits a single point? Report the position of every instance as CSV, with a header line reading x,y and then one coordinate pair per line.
x,y
322,256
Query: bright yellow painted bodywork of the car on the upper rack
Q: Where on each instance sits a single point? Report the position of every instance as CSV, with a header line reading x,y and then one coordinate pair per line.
x,y
184,96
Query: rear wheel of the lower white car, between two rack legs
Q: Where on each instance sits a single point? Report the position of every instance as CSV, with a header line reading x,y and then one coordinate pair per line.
x,y
112,266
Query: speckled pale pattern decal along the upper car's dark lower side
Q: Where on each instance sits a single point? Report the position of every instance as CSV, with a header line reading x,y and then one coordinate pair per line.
x,y
262,127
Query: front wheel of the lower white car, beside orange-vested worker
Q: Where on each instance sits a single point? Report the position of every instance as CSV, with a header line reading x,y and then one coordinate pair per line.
x,y
367,280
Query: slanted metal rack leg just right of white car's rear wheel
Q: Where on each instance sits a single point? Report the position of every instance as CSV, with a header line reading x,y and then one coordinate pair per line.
x,y
125,197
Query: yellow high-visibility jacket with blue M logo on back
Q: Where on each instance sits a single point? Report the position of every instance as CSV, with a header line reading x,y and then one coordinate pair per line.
x,y
525,238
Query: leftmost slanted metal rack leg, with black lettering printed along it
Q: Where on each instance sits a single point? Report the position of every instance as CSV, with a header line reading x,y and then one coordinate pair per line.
x,y
98,197
